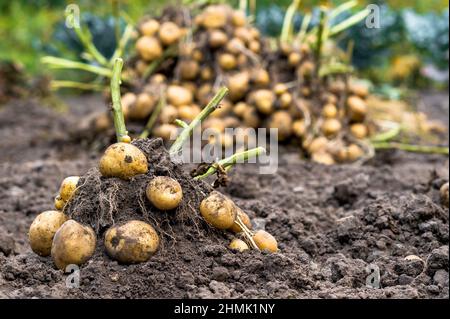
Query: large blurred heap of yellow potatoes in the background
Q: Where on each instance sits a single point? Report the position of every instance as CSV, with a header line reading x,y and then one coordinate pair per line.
x,y
269,87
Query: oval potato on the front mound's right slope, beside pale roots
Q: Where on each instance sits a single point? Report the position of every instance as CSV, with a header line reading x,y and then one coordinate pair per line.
x,y
218,211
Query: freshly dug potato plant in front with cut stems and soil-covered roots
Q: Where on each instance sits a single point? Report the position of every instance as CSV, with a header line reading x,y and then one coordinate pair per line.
x,y
121,199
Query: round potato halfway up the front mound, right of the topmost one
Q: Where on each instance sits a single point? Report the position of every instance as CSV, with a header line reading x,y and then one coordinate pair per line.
x,y
164,193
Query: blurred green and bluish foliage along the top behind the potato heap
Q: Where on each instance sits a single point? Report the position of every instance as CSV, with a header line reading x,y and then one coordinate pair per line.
x,y
30,29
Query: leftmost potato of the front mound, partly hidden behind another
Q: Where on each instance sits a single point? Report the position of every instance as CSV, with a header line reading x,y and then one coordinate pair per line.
x,y
43,229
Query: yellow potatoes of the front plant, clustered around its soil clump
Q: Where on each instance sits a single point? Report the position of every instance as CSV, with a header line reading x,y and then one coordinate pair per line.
x,y
68,241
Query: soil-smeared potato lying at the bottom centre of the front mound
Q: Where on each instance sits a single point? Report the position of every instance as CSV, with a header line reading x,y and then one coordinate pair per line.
x,y
132,242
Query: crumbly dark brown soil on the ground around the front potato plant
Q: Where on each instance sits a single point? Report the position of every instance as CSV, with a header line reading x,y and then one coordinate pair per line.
x,y
331,223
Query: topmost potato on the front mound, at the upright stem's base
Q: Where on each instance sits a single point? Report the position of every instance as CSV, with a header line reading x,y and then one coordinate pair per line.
x,y
123,160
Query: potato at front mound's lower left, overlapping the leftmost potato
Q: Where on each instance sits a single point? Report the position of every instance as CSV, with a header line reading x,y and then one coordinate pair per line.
x,y
73,244
